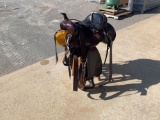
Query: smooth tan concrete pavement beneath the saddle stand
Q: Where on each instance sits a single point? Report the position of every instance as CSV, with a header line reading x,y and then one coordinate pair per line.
x,y
43,91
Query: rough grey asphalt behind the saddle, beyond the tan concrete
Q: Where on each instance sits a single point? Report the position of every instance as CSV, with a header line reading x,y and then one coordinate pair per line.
x,y
27,28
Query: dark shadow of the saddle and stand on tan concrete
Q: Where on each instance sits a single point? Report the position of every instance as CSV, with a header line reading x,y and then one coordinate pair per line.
x,y
145,71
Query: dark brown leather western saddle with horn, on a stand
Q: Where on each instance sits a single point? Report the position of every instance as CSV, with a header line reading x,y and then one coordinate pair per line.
x,y
81,36
